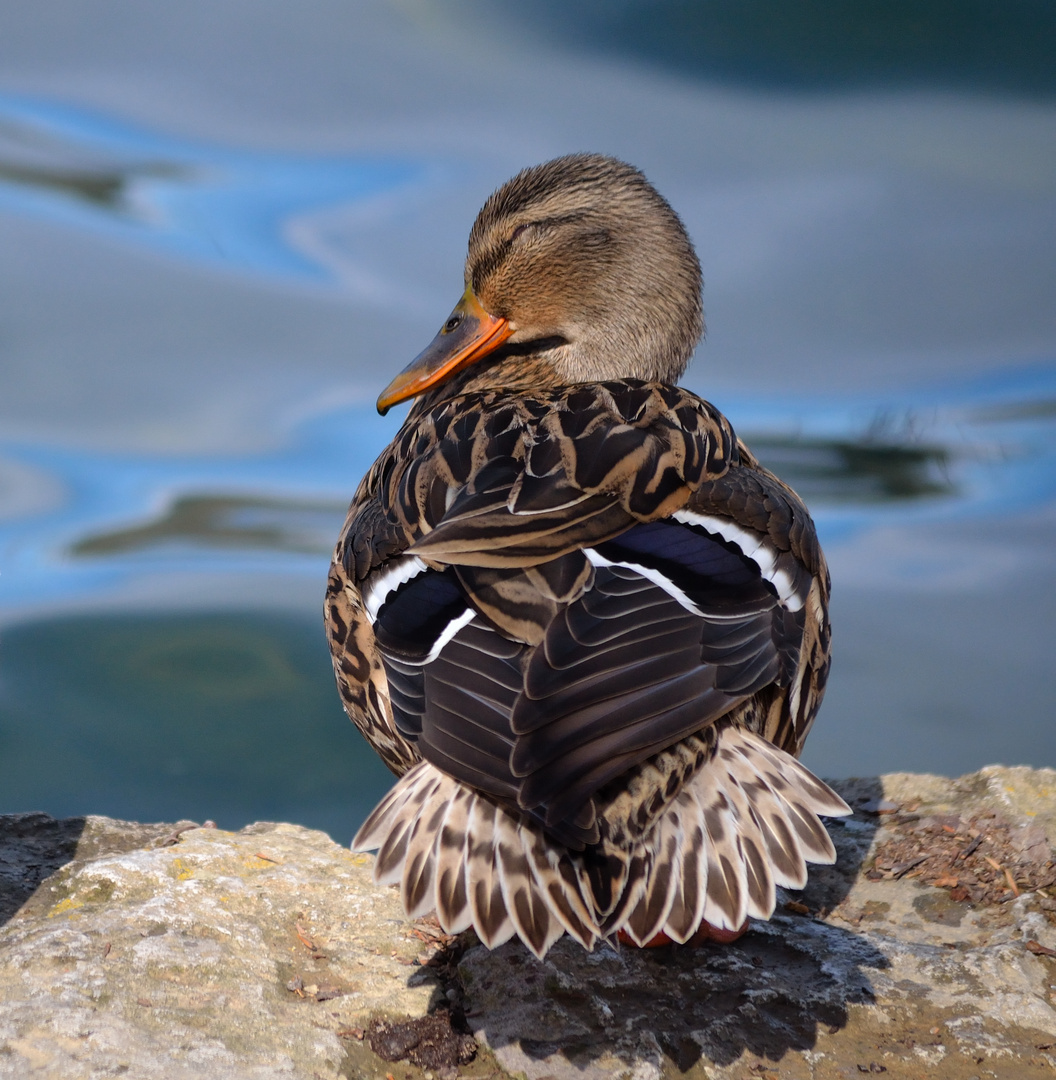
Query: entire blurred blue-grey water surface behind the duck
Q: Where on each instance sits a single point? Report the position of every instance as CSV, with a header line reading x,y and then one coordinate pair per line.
x,y
225,226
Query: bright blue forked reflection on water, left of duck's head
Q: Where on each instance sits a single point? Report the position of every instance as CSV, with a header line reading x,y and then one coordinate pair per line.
x,y
194,200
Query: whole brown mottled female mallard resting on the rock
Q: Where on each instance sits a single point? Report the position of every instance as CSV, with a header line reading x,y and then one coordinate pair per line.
x,y
570,610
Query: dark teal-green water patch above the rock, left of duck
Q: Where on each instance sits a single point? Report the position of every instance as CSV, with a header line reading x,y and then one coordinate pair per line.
x,y
231,717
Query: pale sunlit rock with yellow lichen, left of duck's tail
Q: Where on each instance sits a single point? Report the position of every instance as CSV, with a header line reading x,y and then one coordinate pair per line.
x,y
175,961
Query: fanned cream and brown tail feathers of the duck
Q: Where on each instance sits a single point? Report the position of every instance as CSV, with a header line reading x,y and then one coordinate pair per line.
x,y
747,823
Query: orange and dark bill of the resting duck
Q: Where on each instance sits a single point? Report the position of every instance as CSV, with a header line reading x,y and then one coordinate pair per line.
x,y
468,335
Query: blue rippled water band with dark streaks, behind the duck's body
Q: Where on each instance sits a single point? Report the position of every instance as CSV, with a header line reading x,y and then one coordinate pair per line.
x,y
973,452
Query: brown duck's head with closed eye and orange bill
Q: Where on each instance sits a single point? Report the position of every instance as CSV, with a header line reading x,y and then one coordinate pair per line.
x,y
578,272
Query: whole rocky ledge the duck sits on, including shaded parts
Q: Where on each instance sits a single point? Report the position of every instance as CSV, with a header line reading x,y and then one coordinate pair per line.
x,y
155,952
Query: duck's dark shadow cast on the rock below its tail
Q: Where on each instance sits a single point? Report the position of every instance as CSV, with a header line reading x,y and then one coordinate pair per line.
x,y
583,1015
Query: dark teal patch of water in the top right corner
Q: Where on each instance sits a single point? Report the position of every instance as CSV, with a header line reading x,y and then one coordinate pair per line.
x,y
814,46
